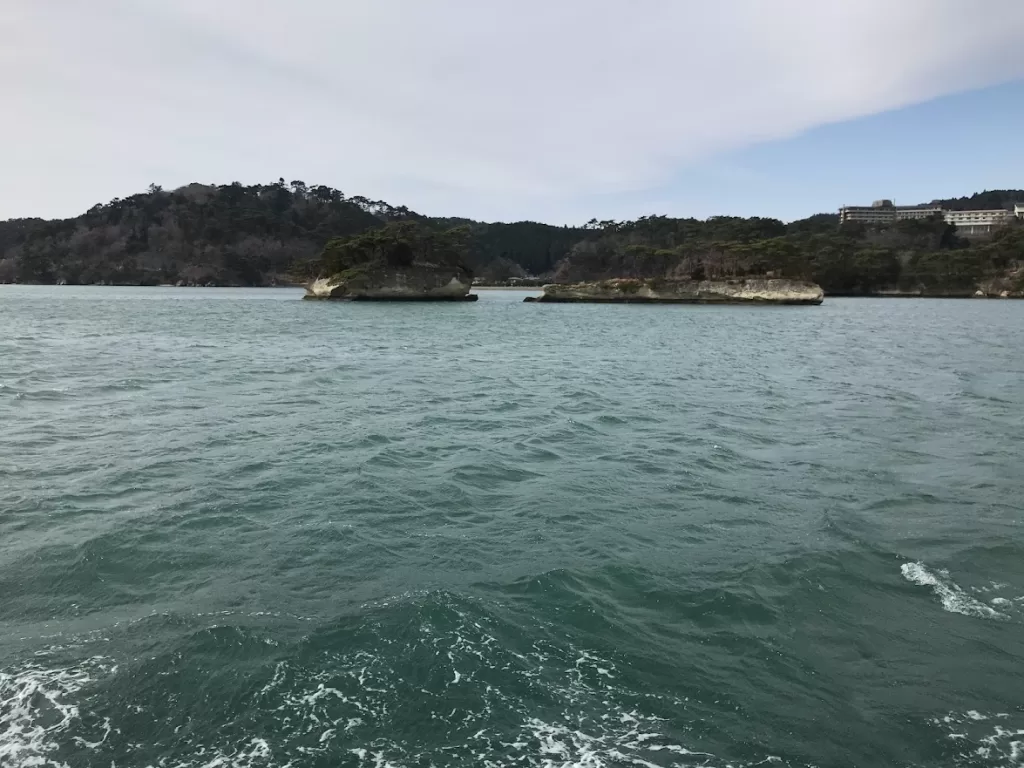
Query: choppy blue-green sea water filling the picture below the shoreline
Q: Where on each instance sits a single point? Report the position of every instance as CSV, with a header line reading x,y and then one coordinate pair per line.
x,y
240,531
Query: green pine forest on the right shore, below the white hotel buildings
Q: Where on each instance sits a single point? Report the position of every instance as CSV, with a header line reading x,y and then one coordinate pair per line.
x,y
913,257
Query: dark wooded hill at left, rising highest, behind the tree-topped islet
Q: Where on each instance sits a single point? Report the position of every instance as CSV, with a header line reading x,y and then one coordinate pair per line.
x,y
235,235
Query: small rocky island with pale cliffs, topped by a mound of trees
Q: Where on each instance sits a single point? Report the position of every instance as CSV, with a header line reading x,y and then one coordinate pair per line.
x,y
404,262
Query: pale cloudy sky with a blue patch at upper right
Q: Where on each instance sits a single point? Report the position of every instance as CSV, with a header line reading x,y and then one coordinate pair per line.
x,y
554,111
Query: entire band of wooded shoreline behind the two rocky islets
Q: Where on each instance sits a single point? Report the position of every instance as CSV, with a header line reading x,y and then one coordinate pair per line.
x,y
274,234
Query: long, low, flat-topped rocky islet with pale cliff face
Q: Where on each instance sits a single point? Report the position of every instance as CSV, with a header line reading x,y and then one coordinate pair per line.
x,y
662,291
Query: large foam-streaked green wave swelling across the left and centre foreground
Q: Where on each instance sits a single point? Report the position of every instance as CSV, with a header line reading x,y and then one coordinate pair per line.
x,y
429,678
